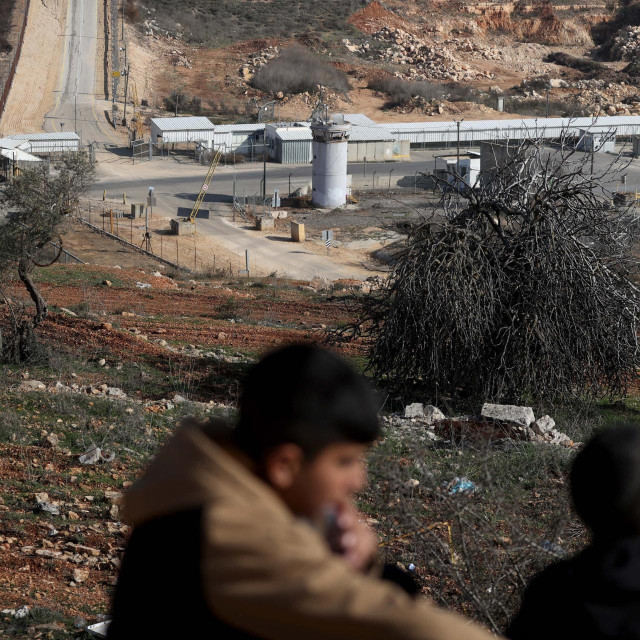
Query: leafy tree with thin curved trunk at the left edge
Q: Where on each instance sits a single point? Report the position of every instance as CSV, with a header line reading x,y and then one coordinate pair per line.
x,y
35,206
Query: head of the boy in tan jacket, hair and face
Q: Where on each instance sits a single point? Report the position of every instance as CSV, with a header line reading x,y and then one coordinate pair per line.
x,y
306,420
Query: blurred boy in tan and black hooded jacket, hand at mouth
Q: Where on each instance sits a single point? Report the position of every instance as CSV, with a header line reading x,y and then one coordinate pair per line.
x,y
251,532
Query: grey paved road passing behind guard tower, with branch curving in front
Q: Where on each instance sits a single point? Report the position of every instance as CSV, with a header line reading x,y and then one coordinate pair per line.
x,y
177,185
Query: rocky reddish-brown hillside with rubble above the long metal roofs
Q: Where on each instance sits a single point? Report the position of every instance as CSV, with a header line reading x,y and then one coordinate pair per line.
x,y
474,50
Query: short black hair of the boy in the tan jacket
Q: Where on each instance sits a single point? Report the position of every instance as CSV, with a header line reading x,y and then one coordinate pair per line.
x,y
307,396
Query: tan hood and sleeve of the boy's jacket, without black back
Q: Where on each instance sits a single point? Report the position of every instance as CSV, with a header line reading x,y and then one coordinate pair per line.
x,y
267,572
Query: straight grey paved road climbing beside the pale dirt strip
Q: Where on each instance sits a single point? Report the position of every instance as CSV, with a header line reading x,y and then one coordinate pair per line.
x,y
75,104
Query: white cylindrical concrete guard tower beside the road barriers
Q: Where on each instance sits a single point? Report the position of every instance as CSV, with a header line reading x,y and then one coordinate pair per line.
x,y
330,151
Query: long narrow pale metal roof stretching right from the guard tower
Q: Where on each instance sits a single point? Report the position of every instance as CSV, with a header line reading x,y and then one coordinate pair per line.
x,y
532,124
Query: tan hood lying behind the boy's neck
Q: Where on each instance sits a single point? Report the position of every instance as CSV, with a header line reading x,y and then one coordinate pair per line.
x,y
194,467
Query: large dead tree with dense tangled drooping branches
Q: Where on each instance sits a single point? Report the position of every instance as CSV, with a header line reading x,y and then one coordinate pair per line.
x,y
519,287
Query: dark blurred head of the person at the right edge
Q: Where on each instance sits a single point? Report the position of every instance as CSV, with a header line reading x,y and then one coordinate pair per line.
x,y
605,483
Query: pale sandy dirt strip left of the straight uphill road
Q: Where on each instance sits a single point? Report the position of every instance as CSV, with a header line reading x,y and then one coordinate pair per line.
x,y
36,81
